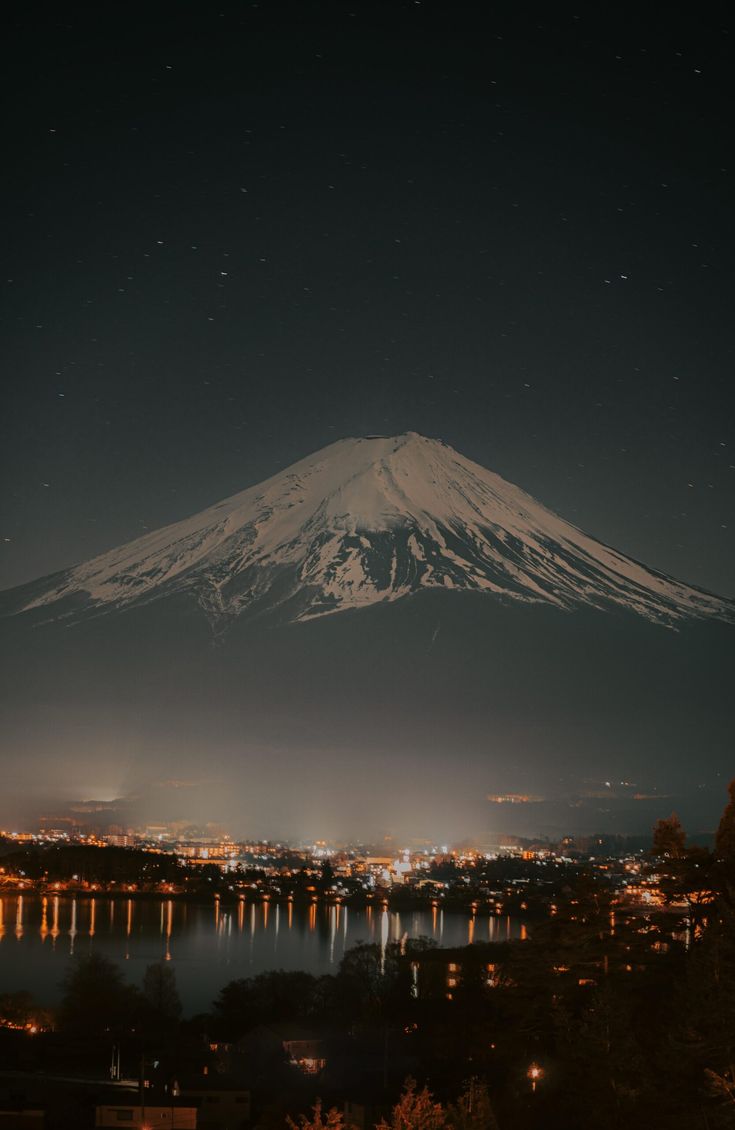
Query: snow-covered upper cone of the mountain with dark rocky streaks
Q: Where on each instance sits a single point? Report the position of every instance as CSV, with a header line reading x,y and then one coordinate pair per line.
x,y
369,520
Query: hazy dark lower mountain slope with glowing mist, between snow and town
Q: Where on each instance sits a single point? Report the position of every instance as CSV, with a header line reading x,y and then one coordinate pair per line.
x,y
397,720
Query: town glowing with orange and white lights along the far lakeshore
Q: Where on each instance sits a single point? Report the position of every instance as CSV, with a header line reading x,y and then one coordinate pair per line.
x,y
511,877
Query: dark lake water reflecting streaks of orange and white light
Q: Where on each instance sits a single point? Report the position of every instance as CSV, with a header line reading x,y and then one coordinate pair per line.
x,y
207,945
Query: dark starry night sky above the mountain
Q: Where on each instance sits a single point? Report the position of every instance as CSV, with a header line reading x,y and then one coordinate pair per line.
x,y
236,233
